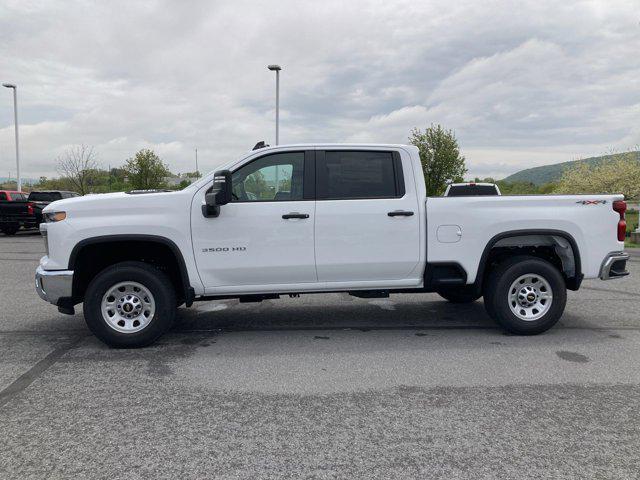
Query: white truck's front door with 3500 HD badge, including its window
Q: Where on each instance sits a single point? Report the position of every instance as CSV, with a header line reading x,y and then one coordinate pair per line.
x,y
265,236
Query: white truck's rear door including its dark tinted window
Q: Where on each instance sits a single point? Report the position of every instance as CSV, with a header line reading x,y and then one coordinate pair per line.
x,y
367,224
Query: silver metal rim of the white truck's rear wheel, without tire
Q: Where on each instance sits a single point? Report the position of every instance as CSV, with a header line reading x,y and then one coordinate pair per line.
x,y
530,297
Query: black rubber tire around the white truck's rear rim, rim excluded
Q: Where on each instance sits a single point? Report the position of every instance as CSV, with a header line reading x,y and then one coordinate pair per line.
x,y
500,280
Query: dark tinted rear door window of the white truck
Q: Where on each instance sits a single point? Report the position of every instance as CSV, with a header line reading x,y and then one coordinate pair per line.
x,y
357,174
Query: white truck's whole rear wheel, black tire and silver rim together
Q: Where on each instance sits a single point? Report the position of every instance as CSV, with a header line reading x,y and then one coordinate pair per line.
x,y
526,295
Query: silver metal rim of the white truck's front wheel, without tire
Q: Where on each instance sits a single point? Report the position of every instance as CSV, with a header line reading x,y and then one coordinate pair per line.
x,y
128,307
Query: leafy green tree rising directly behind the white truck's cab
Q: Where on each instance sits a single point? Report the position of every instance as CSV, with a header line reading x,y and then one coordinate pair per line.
x,y
440,157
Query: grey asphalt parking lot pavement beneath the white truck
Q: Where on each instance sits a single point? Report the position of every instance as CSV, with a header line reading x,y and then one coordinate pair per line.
x,y
324,386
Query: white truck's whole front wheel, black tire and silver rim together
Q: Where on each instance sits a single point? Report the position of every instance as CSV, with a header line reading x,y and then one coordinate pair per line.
x,y
130,304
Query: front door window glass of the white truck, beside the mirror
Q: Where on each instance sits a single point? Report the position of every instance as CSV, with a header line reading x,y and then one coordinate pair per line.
x,y
272,178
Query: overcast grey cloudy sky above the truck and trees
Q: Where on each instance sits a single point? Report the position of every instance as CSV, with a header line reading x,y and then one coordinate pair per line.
x,y
521,83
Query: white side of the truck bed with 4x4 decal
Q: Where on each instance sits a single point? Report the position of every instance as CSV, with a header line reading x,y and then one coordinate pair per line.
x,y
587,220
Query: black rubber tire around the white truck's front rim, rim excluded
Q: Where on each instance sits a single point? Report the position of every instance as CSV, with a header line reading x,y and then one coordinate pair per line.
x,y
152,279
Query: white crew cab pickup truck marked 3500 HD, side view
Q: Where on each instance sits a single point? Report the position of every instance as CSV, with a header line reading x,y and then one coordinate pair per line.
x,y
321,218
